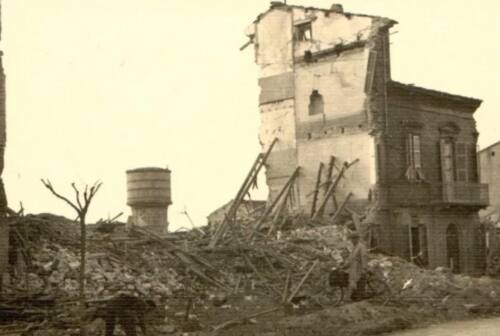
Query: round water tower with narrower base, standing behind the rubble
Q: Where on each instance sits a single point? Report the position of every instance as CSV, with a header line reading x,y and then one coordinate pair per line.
x,y
149,196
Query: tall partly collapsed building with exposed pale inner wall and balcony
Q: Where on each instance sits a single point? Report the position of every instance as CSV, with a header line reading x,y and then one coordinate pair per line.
x,y
327,91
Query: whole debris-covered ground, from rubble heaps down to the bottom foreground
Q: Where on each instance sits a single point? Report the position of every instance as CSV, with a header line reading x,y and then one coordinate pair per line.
x,y
267,285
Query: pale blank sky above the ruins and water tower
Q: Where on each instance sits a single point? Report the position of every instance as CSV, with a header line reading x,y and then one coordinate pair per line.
x,y
98,87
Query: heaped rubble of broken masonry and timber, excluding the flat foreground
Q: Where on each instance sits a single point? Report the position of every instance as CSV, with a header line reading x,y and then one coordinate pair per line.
x,y
282,267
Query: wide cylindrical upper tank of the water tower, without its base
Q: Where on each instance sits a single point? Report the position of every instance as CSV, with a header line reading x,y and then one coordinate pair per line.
x,y
148,187
